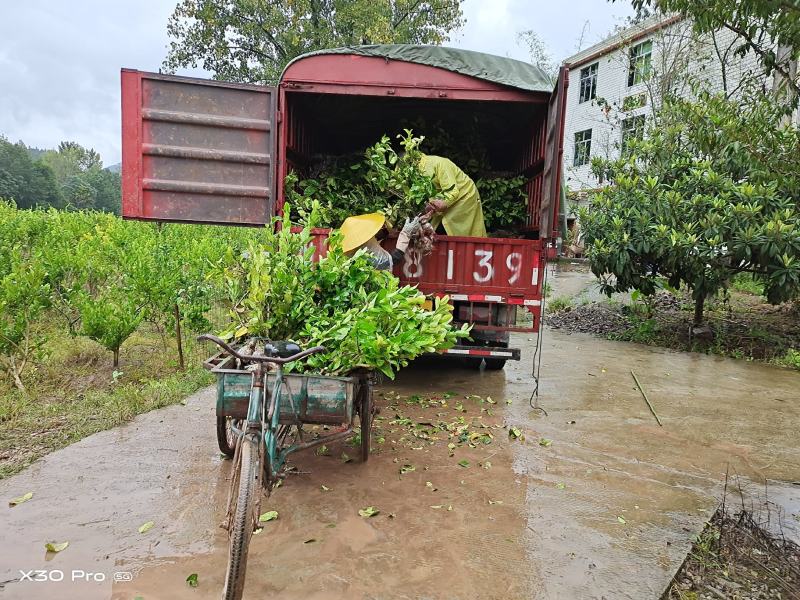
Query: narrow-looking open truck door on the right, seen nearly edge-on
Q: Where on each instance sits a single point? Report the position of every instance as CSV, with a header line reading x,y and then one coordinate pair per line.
x,y
553,159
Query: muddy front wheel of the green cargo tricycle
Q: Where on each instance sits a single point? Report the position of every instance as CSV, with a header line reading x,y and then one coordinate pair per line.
x,y
244,517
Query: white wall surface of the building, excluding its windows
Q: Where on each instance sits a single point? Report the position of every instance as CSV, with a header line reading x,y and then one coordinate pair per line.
x,y
676,50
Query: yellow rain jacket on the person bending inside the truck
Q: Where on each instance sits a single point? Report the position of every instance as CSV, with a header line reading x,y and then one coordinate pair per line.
x,y
463,215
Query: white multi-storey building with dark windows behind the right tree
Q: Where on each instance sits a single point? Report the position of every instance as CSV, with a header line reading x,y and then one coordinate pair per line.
x,y
614,85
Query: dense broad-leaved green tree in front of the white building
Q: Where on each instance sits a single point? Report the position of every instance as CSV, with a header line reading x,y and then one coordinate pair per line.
x,y
713,191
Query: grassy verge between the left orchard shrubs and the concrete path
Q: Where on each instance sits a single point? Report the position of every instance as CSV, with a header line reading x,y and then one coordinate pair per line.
x,y
76,392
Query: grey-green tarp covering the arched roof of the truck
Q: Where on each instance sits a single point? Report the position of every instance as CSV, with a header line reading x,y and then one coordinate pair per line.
x,y
497,69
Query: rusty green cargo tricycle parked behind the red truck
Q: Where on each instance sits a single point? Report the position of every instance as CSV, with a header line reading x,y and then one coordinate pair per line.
x,y
260,416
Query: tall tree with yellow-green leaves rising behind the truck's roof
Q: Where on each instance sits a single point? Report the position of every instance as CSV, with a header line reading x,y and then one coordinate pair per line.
x,y
253,40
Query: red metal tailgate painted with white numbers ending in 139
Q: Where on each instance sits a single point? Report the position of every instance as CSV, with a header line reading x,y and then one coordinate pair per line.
x,y
464,265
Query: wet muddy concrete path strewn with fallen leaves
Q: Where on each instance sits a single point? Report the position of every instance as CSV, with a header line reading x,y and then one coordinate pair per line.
x,y
544,521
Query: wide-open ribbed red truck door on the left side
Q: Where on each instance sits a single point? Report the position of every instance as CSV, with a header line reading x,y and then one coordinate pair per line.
x,y
197,151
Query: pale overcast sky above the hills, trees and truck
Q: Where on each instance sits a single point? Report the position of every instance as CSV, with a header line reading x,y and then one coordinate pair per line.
x,y
60,61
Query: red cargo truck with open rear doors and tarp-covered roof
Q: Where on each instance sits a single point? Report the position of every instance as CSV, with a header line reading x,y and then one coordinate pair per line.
x,y
214,152
